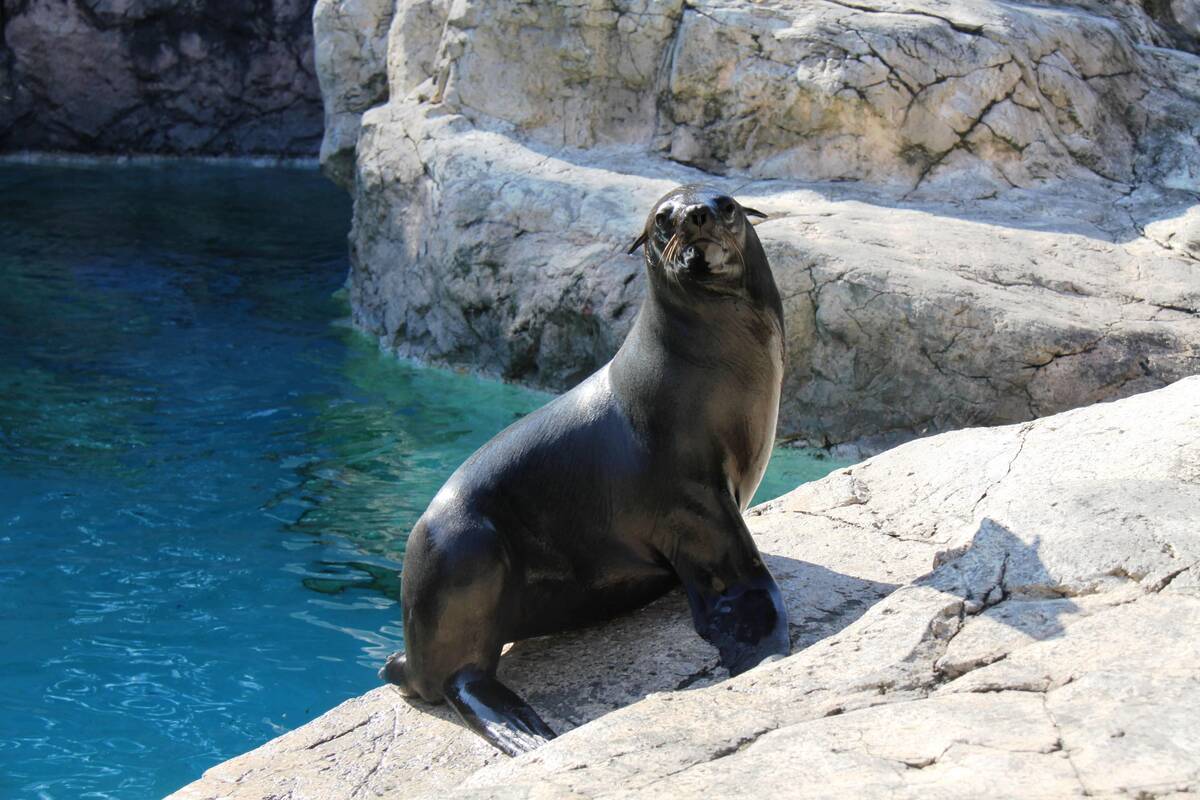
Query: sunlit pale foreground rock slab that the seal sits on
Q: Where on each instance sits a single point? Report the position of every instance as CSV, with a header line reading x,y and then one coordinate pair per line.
x,y
995,612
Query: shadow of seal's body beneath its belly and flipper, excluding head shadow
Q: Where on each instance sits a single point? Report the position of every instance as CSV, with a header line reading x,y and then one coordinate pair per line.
x,y
577,677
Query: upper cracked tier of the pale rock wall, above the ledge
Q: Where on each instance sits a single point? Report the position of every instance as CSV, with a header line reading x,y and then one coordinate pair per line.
x,y
884,91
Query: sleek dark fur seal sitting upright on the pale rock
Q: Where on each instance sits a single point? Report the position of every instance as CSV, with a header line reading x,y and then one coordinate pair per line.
x,y
622,489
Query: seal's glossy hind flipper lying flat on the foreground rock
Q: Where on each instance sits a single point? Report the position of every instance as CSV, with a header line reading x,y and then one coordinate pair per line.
x,y
493,711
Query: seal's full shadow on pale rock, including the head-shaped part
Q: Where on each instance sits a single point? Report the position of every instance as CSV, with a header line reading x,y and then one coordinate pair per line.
x,y
577,677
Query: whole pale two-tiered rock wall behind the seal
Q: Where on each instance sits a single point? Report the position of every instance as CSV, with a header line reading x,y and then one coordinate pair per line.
x,y
981,212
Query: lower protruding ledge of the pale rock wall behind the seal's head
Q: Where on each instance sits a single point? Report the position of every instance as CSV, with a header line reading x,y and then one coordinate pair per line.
x,y
471,248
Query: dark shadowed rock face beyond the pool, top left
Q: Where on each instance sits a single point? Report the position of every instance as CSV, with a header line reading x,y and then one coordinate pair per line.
x,y
189,77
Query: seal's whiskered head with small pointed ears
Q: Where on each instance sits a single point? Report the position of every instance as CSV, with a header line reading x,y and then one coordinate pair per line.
x,y
698,237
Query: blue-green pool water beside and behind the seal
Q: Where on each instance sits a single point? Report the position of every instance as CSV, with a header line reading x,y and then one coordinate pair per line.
x,y
206,479
